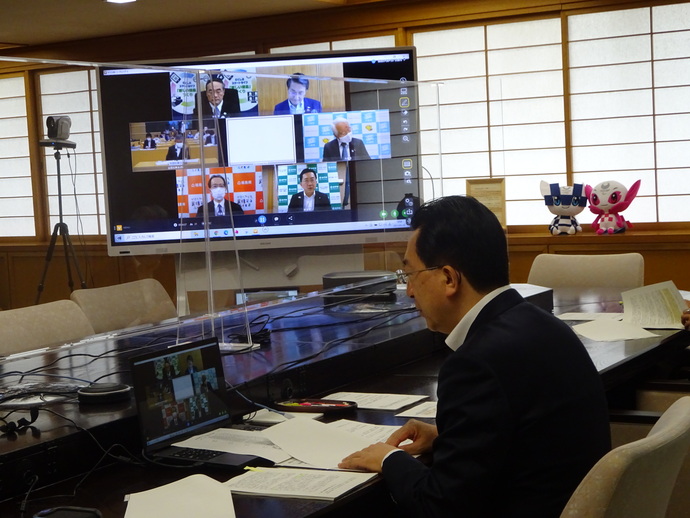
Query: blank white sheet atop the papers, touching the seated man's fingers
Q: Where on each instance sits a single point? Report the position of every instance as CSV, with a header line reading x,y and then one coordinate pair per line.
x,y
315,443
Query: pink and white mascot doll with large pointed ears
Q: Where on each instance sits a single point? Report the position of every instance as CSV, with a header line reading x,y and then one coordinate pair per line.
x,y
607,200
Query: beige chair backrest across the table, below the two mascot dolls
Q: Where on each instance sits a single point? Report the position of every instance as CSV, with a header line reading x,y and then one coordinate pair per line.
x,y
624,271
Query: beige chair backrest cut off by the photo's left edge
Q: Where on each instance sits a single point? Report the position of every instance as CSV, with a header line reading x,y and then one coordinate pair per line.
x,y
33,327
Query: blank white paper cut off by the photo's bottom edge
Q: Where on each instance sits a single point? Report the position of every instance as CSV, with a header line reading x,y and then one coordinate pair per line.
x,y
182,499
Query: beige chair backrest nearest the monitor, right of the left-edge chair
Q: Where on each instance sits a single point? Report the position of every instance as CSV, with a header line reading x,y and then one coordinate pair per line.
x,y
125,305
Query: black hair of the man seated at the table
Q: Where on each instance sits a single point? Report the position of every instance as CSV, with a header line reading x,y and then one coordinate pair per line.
x,y
460,232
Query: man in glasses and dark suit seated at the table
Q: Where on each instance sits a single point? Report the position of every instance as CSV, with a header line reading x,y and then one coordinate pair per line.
x,y
521,414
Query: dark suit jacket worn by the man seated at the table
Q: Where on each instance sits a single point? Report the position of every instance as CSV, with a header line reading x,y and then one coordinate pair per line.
x,y
521,415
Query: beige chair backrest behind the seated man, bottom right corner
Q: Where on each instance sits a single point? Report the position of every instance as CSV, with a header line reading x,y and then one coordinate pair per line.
x,y
636,479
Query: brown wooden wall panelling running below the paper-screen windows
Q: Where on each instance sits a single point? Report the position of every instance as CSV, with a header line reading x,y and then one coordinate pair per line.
x,y
21,269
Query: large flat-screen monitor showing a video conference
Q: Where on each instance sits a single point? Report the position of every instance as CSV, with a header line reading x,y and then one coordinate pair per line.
x,y
261,152
